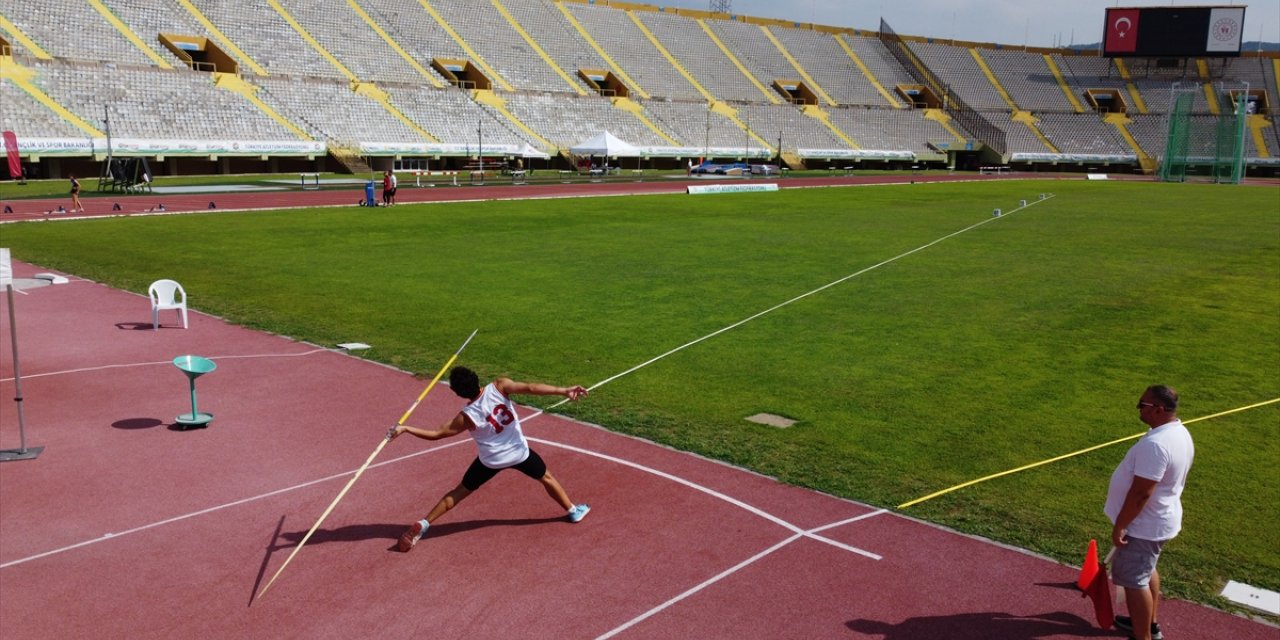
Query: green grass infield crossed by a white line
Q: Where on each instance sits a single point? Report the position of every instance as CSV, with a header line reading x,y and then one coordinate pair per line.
x,y
1021,340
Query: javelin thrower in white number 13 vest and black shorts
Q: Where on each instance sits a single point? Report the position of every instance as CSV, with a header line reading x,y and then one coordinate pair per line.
x,y
492,422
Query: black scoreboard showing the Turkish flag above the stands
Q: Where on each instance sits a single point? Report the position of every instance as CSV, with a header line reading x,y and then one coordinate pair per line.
x,y
1173,31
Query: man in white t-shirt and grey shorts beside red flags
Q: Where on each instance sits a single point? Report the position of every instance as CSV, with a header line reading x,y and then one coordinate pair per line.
x,y
1145,505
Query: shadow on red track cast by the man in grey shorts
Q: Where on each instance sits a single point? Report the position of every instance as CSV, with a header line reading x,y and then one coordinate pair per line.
x,y
985,627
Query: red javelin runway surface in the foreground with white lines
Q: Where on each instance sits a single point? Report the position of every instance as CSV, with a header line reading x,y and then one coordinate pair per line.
x,y
125,528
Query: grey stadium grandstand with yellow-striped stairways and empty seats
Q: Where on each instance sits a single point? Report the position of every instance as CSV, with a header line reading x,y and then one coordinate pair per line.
x,y
235,86
